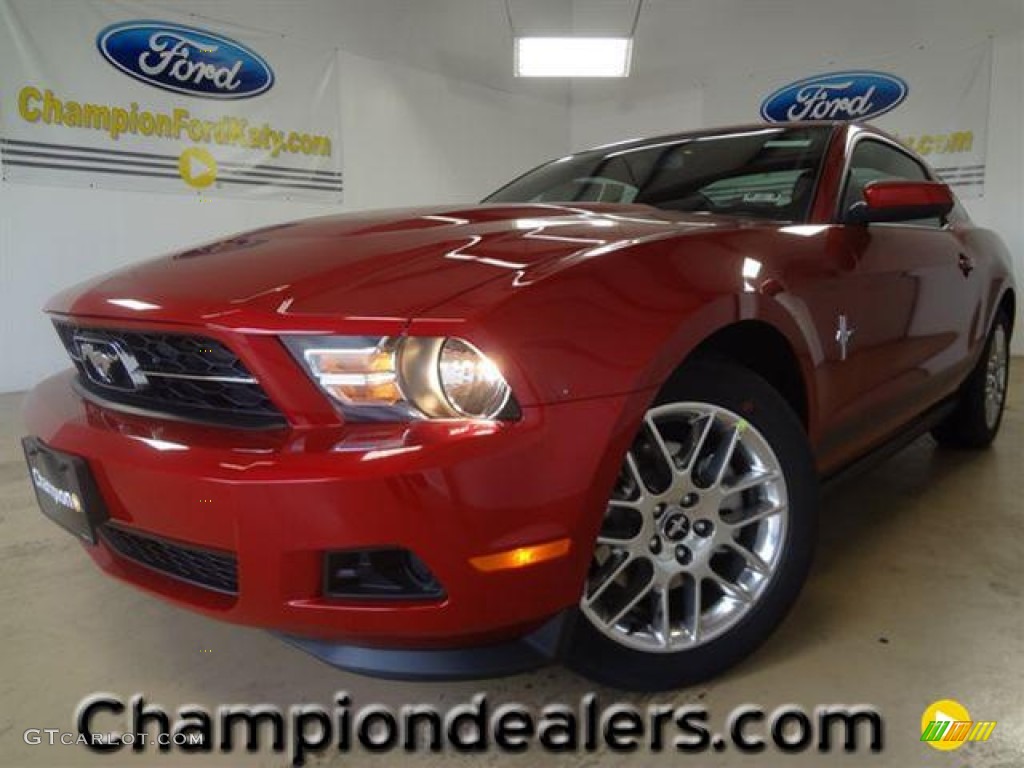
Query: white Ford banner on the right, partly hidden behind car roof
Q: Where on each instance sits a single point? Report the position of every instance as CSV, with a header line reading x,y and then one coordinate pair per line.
x,y
935,102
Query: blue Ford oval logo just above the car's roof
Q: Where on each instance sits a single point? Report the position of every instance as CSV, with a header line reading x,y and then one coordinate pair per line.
x,y
838,96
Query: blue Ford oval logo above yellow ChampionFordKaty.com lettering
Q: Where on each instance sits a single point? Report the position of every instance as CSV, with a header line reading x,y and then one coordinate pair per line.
x,y
186,60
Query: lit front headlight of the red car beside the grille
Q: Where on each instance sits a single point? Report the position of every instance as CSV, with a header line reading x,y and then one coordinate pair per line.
x,y
382,378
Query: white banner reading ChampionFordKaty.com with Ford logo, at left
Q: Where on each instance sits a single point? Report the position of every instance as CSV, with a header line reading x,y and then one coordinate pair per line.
x,y
123,96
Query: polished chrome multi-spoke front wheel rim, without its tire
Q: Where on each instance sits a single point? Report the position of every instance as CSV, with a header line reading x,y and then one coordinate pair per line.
x,y
693,534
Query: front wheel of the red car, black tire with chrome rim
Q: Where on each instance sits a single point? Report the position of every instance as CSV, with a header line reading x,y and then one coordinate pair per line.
x,y
707,539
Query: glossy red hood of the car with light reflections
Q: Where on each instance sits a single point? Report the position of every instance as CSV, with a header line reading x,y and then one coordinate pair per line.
x,y
387,265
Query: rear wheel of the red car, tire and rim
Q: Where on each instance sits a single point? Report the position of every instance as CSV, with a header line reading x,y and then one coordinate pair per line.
x,y
976,420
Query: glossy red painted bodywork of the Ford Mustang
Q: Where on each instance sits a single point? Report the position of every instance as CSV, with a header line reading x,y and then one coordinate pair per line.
x,y
587,310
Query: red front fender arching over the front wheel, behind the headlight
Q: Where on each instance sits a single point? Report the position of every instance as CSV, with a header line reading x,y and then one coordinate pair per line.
x,y
622,323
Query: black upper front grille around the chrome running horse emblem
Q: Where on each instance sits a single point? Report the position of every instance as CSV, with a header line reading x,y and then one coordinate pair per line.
x,y
182,375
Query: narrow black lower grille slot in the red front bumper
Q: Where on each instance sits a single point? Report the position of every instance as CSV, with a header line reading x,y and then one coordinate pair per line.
x,y
212,571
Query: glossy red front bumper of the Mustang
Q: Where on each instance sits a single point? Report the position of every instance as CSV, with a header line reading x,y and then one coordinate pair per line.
x,y
279,500
